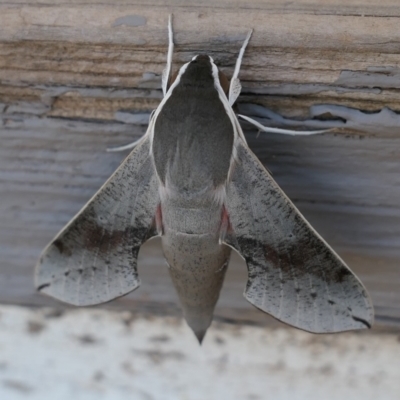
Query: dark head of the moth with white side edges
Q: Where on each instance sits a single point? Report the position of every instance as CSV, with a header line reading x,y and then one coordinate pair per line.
x,y
201,71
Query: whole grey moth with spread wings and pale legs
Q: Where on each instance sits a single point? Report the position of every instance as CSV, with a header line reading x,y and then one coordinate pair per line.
x,y
193,180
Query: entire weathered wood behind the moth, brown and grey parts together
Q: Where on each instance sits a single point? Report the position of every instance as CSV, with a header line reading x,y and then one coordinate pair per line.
x,y
77,77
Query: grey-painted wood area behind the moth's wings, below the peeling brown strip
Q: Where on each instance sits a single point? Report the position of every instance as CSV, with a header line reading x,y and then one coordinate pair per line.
x,y
348,189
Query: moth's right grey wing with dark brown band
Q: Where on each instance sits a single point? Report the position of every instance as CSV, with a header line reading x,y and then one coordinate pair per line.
x,y
293,274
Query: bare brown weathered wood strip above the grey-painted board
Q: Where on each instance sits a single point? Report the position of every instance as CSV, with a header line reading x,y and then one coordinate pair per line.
x,y
301,53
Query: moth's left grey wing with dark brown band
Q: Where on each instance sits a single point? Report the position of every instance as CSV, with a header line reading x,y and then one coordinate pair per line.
x,y
93,259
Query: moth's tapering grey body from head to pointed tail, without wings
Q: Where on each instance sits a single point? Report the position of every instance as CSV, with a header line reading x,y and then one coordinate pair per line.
x,y
192,150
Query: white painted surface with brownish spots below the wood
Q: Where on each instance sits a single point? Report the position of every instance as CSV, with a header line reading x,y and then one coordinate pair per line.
x,y
98,354
